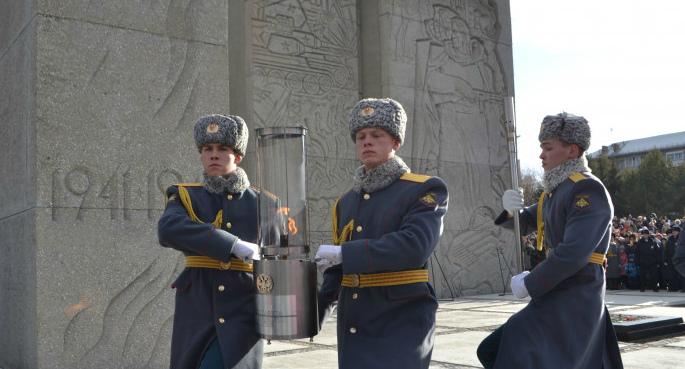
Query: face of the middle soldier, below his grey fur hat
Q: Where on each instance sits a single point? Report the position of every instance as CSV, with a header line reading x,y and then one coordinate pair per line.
x,y
374,146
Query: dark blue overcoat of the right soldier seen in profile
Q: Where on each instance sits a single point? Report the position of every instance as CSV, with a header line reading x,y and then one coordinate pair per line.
x,y
566,324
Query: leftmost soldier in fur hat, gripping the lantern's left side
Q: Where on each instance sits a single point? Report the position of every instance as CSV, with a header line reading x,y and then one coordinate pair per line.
x,y
214,224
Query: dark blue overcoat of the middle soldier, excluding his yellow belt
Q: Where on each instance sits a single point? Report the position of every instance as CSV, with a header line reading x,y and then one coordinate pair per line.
x,y
395,229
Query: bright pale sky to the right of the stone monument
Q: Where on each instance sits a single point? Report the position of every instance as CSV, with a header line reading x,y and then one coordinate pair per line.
x,y
618,63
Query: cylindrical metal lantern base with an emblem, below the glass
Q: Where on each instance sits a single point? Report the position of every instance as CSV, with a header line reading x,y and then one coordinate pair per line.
x,y
286,299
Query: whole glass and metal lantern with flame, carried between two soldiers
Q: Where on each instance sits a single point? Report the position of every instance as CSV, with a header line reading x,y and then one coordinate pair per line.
x,y
285,276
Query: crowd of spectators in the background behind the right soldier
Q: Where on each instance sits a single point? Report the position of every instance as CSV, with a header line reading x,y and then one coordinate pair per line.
x,y
640,254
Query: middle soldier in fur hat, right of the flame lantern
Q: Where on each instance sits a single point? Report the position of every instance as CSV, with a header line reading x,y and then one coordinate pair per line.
x,y
384,230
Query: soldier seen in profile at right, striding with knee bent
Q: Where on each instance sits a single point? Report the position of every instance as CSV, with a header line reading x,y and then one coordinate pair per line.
x,y
566,324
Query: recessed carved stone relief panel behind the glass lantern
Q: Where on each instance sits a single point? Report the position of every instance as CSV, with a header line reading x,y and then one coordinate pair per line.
x,y
305,56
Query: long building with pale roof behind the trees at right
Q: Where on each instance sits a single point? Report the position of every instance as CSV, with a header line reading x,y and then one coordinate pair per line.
x,y
629,154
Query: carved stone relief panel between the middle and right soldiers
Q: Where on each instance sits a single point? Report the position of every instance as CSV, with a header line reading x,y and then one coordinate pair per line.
x,y
458,131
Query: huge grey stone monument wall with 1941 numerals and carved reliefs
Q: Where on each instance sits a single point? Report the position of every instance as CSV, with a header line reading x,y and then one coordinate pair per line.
x,y
96,114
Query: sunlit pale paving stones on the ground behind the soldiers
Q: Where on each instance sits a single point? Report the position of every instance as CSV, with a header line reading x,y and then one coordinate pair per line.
x,y
462,323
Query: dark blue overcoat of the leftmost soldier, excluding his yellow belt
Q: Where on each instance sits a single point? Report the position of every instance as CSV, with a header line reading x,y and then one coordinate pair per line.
x,y
212,303
